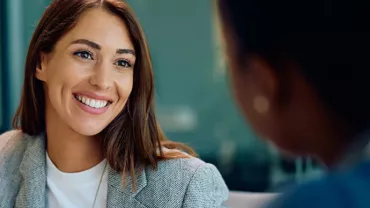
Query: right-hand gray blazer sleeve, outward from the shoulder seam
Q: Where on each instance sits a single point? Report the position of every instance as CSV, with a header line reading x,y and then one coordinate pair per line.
x,y
206,189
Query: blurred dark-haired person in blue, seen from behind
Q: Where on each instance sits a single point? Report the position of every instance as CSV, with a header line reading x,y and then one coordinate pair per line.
x,y
300,74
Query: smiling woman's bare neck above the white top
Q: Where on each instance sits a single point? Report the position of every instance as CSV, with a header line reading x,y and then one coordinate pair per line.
x,y
69,150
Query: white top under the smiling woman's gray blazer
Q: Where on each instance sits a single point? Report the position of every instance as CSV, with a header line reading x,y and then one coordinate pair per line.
x,y
76,190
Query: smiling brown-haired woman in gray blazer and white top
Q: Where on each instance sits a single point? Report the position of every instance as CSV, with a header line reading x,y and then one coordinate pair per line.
x,y
88,135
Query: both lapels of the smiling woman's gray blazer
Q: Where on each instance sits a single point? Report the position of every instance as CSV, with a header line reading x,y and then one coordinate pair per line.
x,y
33,171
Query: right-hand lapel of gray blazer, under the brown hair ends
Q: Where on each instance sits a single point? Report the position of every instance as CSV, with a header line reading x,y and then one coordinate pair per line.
x,y
124,197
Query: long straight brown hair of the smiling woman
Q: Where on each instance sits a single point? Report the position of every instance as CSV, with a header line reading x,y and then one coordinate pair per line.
x,y
134,138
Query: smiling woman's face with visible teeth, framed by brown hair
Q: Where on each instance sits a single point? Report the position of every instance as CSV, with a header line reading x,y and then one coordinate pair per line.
x,y
88,77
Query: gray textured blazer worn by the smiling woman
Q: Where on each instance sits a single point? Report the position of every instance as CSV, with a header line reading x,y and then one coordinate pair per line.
x,y
176,183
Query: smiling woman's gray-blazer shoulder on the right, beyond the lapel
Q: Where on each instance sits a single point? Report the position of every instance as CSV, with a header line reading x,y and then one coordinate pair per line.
x,y
190,182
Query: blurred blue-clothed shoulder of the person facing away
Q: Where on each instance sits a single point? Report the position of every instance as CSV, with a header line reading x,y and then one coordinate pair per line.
x,y
340,189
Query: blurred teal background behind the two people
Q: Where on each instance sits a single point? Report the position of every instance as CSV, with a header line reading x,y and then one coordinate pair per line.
x,y
194,103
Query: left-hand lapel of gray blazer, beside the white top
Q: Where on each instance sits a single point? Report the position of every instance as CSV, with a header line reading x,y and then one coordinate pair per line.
x,y
32,169
